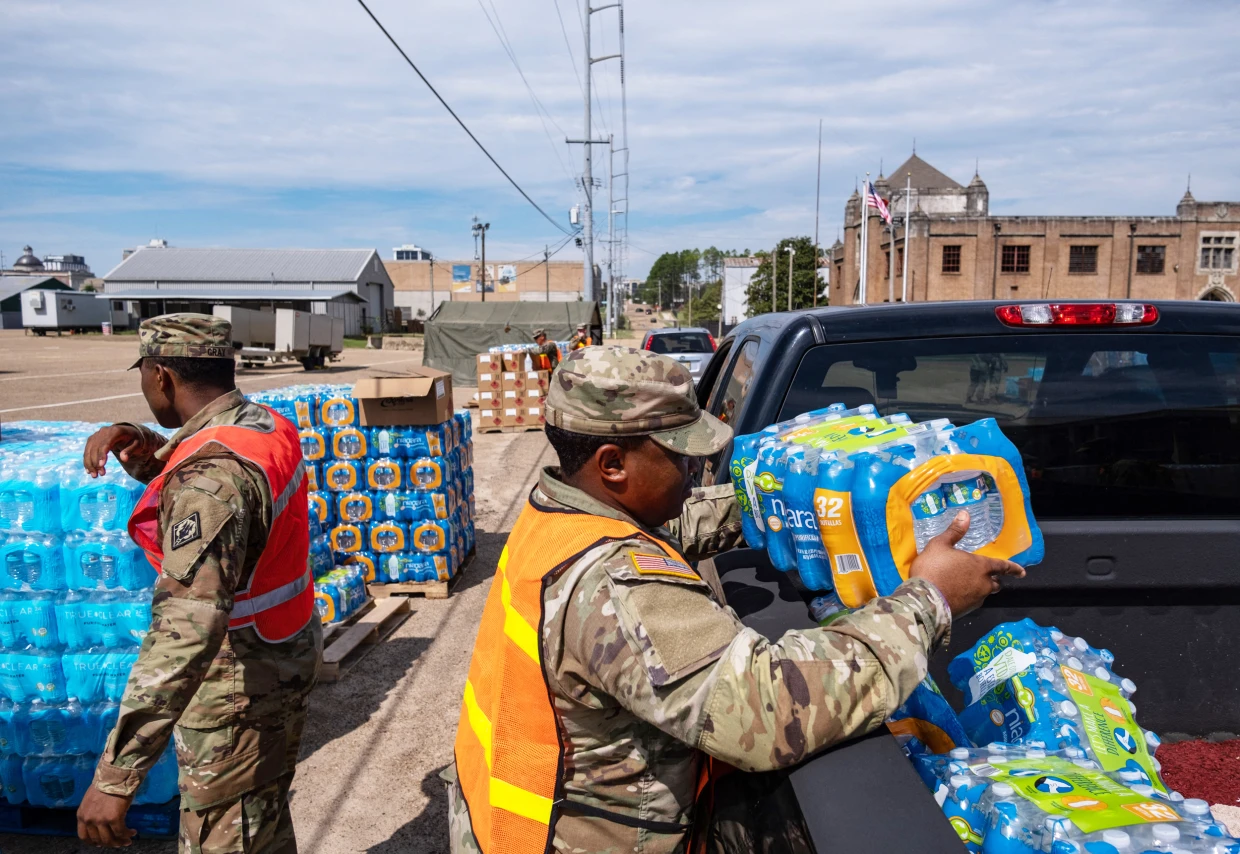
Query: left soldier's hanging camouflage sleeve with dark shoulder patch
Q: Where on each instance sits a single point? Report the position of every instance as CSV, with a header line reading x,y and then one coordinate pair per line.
x,y
205,519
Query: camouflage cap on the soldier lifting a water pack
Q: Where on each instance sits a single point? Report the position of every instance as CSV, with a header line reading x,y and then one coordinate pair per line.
x,y
626,392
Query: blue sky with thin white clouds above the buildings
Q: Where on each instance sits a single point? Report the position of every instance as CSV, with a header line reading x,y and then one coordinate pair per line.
x,y
296,125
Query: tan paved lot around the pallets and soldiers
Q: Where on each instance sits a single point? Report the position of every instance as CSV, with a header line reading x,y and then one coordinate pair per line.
x,y
376,741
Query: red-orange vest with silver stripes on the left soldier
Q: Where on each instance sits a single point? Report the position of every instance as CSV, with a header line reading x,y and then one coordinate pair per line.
x,y
280,601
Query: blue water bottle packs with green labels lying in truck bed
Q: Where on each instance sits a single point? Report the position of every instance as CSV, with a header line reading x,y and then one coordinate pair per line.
x,y
1066,768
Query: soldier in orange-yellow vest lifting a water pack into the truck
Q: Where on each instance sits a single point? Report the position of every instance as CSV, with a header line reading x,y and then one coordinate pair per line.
x,y
608,671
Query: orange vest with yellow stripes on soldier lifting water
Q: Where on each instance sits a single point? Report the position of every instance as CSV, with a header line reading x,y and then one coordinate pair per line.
x,y
508,742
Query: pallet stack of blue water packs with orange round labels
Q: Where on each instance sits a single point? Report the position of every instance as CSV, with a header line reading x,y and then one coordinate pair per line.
x,y
387,505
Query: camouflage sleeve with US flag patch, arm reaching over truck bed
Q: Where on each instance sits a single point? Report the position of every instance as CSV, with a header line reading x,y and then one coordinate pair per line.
x,y
674,658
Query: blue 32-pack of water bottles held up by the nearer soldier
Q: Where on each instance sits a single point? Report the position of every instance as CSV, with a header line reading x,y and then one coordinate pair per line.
x,y
848,499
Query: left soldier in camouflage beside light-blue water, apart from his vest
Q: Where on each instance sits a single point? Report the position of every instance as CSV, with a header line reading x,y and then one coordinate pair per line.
x,y
234,703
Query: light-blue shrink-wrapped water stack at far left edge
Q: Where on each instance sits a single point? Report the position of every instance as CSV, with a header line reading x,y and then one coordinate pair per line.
x,y
75,607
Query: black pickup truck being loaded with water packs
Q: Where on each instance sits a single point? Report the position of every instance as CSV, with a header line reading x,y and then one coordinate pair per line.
x,y
1128,417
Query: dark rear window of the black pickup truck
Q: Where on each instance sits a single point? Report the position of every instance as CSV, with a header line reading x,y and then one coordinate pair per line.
x,y
1110,426
